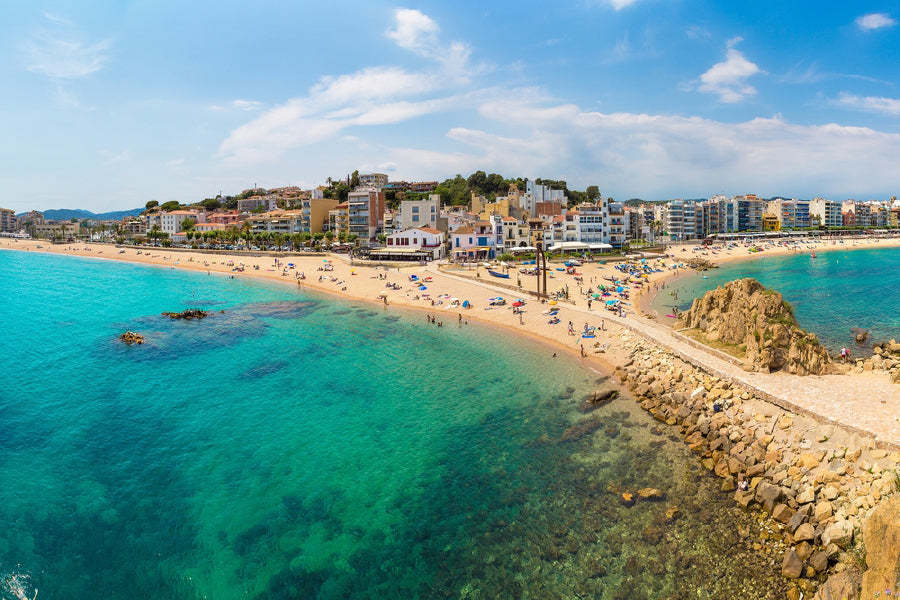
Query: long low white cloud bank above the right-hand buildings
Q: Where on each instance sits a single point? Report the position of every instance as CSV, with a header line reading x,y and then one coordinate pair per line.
x,y
650,155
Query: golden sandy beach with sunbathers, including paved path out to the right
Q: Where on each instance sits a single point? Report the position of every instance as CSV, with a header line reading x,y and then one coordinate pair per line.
x,y
848,400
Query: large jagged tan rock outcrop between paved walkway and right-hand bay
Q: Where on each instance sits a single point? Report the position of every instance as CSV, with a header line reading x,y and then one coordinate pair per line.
x,y
759,325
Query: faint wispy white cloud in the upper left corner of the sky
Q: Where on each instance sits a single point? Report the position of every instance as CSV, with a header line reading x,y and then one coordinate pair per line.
x,y
62,54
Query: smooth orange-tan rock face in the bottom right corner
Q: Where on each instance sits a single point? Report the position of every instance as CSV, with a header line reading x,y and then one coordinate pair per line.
x,y
881,533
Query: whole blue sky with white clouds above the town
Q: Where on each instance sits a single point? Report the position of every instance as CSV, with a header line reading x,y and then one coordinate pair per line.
x,y
110,104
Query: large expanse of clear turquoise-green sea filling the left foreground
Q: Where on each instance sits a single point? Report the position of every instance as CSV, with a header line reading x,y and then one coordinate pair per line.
x,y
294,446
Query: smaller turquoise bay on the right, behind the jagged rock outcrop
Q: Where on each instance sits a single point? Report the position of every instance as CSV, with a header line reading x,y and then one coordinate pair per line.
x,y
833,295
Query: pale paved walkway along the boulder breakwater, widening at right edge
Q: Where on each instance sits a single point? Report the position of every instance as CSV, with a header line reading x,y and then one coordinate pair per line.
x,y
867,403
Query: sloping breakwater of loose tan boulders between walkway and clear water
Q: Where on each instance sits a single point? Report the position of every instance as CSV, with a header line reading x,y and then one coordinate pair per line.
x,y
813,484
